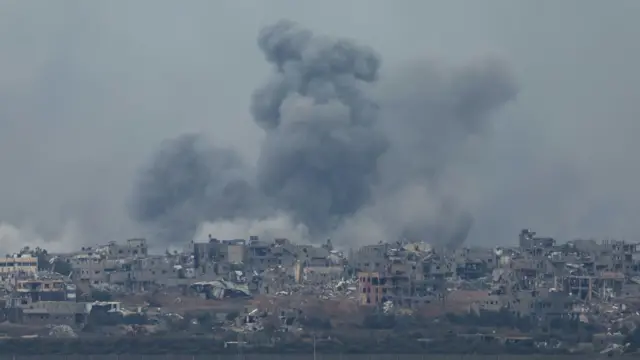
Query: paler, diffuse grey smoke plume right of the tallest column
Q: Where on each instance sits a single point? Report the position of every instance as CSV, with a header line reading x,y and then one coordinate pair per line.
x,y
433,117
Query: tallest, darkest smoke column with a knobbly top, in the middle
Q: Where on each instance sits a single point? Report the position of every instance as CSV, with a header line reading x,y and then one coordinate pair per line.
x,y
319,158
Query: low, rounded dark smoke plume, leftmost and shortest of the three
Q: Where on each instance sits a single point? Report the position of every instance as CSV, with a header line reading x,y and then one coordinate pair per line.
x,y
189,182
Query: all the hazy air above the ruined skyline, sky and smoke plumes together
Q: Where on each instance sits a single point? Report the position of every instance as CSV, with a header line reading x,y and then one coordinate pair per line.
x,y
457,120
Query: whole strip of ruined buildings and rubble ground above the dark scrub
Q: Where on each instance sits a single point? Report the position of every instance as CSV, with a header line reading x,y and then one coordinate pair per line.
x,y
261,287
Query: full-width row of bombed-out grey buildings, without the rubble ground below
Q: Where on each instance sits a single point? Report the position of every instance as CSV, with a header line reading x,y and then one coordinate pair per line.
x,y
539,278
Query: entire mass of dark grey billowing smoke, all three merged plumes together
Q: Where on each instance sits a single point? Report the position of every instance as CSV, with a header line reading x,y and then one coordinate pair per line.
x,y
344,155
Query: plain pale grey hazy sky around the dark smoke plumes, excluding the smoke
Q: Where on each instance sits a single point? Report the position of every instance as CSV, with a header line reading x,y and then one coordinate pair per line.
x,y
89,89
